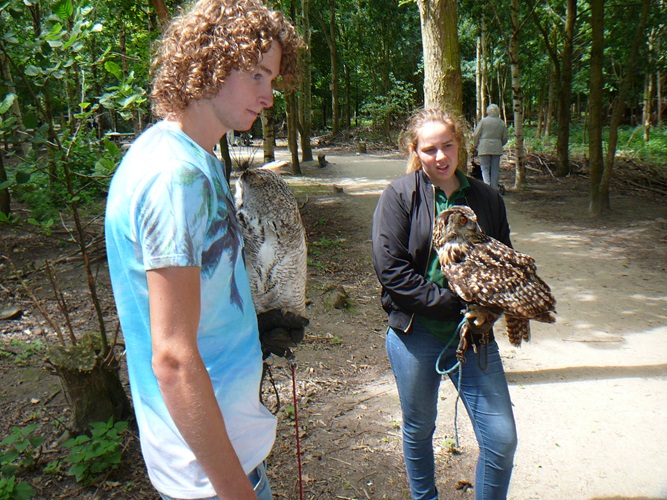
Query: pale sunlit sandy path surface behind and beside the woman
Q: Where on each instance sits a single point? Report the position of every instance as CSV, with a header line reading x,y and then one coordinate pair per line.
x,y
590,393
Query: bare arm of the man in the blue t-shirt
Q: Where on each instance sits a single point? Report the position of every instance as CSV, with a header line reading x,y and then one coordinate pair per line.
x,y
175,306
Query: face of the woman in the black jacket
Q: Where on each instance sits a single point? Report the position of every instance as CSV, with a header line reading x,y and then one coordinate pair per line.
x,y
438,152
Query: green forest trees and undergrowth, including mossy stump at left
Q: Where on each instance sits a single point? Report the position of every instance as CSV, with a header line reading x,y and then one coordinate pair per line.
x,y
580,84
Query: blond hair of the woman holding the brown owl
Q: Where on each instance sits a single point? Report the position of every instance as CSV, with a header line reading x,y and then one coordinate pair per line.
x,y
410,136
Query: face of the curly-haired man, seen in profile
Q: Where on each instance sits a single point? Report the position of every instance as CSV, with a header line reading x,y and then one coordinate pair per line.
x,y
244,95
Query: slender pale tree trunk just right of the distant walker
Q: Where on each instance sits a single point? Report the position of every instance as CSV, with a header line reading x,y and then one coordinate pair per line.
x,y
517,99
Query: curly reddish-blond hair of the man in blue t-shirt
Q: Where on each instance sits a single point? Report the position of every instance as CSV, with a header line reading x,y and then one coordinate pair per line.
x,y
200,48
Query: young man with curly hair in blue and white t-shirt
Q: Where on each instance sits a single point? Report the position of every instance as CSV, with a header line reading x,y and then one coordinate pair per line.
x,y
175,255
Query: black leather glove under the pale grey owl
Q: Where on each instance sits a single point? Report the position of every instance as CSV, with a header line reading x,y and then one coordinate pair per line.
x,y
279,330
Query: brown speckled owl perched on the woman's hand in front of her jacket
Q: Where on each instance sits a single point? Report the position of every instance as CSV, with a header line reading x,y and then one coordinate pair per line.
x,y
485,272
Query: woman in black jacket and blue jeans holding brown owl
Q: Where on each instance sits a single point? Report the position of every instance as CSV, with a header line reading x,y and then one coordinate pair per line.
x,y
423,313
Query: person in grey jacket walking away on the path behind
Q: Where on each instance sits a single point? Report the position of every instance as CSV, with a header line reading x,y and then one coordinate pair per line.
x,y
488,139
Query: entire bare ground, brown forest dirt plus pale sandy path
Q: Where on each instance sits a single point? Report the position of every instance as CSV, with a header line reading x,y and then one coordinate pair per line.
x,y
589,392
